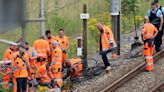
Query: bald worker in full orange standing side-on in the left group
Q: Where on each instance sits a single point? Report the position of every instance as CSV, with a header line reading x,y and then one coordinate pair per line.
x,y
56,64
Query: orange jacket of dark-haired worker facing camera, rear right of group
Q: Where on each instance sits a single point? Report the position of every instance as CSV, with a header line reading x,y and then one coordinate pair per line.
x,y
63,42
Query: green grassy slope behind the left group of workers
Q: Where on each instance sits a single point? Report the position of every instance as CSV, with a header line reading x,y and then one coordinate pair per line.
x,y
63,13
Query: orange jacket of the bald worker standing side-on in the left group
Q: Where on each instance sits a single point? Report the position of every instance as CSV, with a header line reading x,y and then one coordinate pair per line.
x,y
57,56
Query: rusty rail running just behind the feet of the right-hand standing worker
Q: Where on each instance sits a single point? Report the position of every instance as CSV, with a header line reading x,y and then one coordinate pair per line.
x,y
131,74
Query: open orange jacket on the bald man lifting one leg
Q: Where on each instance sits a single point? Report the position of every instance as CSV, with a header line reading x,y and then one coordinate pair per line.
x,y
106,38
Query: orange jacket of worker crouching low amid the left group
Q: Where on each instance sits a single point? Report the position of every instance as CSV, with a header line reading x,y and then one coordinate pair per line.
x,y
42,73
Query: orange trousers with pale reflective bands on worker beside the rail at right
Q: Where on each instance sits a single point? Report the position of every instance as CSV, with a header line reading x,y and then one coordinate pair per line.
x,y
148,55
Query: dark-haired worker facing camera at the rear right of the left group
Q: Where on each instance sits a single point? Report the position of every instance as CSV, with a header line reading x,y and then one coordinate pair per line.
x,y
63,43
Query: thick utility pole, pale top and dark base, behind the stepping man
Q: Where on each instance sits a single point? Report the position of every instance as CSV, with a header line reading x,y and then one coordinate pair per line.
x,y
115,13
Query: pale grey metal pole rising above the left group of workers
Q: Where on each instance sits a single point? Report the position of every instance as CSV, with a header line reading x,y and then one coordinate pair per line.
x,y
42,18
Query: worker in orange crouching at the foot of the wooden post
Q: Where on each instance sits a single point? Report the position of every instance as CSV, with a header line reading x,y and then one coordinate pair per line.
x,y
75,68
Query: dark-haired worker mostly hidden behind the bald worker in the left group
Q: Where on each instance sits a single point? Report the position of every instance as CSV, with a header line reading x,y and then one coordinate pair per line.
x,y
50,39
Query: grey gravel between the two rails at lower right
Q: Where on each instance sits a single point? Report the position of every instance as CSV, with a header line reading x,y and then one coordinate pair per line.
x,y
145,81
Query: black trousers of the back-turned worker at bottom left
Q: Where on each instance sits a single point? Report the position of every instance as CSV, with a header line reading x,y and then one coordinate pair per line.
x,y
21,84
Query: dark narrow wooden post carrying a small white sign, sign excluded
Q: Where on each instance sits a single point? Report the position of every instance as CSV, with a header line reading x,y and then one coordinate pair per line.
x,y
85,39
